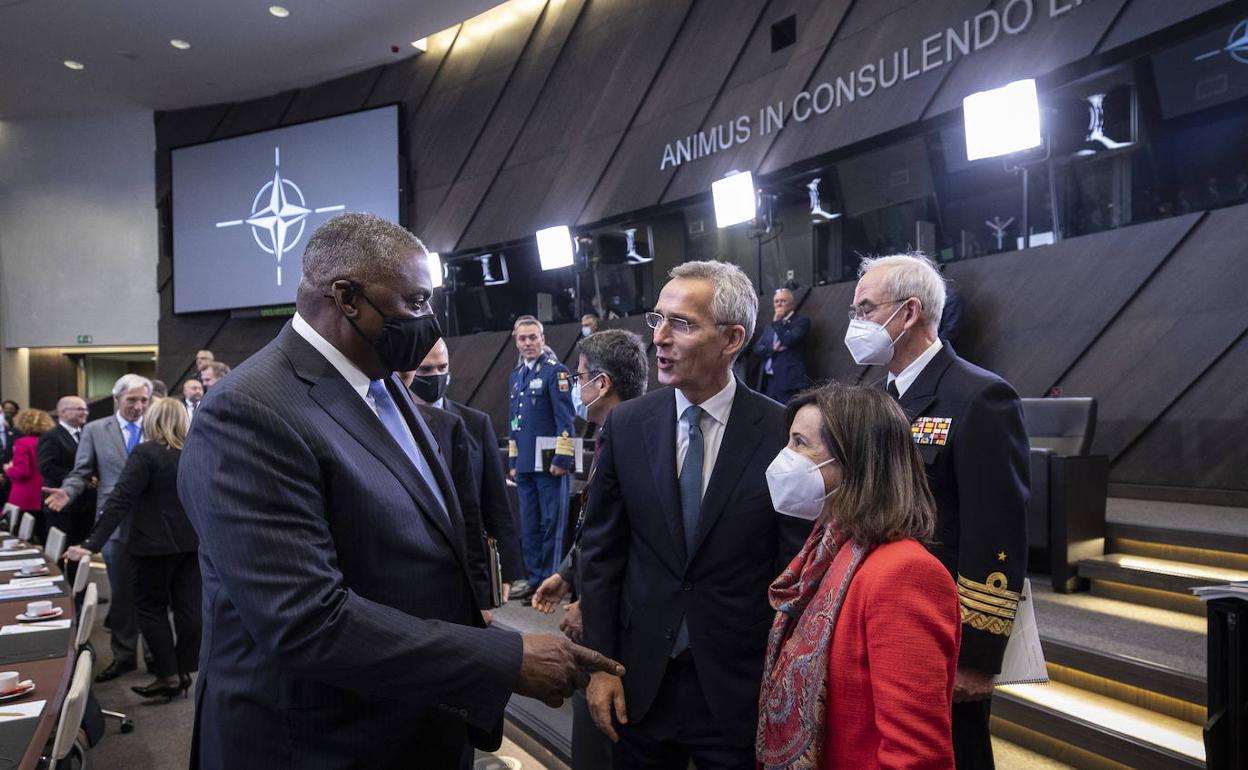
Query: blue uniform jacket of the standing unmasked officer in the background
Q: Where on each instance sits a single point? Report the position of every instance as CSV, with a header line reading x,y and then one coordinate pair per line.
x,y
541,405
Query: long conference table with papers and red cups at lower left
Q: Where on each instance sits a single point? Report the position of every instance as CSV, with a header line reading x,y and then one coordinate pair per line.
x,y
46,657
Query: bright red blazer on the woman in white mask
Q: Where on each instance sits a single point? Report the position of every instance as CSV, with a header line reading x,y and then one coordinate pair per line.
x,y
890,668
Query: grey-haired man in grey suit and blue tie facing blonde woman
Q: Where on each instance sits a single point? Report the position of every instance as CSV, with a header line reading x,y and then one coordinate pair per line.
x,y
102,454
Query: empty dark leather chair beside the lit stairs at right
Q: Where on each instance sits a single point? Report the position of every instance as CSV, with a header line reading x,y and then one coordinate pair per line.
x,y
1069,489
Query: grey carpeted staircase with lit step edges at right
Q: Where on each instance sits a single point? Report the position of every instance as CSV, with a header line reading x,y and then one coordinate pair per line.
x,y
1128,660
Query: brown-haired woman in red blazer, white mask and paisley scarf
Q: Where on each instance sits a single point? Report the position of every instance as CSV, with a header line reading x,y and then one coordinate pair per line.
x,y
863,652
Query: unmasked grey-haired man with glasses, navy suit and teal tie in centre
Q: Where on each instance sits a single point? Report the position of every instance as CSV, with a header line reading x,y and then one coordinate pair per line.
x,y
681,541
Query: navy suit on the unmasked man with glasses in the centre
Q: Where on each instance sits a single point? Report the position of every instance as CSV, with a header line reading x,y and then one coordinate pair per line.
x,y
640,581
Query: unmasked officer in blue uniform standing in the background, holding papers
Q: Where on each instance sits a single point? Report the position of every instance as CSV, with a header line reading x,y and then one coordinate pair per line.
x,y
541,406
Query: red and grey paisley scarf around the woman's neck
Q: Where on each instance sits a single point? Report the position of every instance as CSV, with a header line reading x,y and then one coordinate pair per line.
x,y
808,598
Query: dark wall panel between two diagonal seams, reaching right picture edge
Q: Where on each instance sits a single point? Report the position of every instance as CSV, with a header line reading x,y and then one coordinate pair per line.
x,y
1171,333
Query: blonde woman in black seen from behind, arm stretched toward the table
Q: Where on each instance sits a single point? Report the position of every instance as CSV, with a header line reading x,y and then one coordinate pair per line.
x,y
164,547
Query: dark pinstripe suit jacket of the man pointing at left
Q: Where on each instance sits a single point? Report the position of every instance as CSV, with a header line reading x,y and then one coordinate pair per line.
x,y
340,623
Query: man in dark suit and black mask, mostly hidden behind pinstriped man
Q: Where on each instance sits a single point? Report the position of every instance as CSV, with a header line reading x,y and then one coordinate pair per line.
x,y
429,386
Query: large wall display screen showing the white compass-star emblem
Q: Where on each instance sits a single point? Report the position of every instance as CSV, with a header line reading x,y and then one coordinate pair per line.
x,y
245,208
